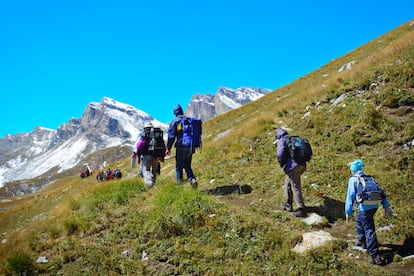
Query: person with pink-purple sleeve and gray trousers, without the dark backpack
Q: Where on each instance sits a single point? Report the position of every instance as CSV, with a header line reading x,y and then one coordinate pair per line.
x,y
149,163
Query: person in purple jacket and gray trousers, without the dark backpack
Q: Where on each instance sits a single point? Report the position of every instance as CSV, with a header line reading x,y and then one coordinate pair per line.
x,y
293,171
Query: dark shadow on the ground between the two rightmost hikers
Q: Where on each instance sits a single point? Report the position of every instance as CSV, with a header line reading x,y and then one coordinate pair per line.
x,y
332,209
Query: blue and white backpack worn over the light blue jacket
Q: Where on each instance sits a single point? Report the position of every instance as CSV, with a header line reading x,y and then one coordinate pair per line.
x,y
368,190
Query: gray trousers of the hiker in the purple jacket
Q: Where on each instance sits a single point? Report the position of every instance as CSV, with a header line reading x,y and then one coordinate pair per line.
x,y
293,187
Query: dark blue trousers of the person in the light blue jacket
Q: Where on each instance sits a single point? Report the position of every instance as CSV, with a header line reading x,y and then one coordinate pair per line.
x,y
365,228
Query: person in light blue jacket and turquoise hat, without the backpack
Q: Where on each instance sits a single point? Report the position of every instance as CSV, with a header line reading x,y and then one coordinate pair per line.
x,y
365,226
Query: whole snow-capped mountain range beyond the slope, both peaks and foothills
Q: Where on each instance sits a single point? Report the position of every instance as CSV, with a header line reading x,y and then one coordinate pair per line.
x,y
29,161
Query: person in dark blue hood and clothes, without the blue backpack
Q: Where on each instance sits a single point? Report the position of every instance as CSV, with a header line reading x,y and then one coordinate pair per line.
x,y
184,150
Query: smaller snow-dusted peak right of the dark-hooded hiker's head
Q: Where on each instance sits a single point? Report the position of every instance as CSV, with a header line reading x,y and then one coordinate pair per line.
x,y
207,106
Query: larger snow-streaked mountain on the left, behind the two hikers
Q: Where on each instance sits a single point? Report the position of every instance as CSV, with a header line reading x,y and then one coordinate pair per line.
x,y
102,125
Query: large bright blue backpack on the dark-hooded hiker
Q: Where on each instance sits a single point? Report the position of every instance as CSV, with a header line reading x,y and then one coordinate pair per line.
x,y
192,130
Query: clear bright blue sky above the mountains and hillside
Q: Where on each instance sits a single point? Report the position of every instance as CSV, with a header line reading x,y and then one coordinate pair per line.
x,y
57,56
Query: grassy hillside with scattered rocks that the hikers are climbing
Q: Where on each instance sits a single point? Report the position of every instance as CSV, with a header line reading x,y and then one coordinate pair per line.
x,y
90,228
